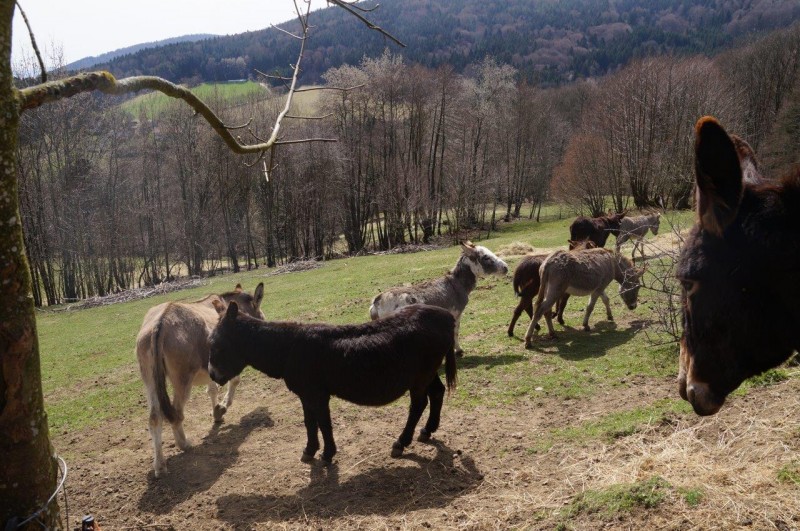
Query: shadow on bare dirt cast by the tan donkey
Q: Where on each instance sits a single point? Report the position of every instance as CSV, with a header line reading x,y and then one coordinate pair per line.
x,y
197,469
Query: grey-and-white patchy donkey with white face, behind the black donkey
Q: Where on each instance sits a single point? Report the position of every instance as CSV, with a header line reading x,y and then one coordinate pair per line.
x,y
450,292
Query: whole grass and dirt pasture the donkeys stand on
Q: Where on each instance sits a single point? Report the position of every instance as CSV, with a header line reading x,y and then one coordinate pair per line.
x,y
584,432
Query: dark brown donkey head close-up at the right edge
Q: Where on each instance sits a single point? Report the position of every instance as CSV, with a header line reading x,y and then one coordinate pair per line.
x,y
739,269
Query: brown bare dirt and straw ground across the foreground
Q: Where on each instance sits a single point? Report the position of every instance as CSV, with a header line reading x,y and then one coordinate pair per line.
x,y
478,473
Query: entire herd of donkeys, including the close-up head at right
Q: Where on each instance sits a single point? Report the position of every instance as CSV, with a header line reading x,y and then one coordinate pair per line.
x,y
414,330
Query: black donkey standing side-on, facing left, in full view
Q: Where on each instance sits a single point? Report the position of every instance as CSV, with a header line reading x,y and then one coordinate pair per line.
x,y
369,364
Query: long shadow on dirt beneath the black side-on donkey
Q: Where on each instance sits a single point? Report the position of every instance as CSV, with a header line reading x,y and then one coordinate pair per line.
x,y
390,488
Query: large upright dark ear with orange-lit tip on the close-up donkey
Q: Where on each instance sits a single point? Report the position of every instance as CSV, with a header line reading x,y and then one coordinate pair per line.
x,y
718,175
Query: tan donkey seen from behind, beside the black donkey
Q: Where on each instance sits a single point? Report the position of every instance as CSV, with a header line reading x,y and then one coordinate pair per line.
x,y
173,343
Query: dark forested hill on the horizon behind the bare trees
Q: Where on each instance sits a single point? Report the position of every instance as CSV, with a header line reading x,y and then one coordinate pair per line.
x,y
547,40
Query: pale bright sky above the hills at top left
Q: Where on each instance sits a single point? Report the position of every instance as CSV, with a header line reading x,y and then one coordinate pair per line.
x,y
82,28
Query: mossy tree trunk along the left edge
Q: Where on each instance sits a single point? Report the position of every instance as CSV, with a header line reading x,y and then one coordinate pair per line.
x,y
28,471
